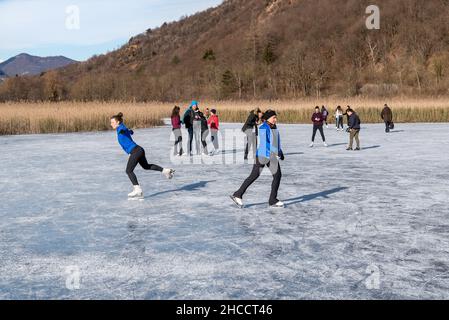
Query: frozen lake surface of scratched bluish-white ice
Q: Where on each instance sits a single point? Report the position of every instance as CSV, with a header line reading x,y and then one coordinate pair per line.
x,y
367,225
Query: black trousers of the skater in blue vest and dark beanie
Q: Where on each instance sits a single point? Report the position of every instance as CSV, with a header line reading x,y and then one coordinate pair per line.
x,y
275,169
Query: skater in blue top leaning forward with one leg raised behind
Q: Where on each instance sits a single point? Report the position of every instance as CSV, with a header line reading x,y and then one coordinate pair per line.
x,y
136,156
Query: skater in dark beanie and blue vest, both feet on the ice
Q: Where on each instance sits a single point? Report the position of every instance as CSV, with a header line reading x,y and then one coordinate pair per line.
x,y
268,154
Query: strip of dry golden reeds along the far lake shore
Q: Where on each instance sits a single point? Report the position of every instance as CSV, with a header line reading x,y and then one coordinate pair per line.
x,y
32,118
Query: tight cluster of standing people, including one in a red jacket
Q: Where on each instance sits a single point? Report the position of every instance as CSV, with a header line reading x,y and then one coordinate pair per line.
x,y
199,125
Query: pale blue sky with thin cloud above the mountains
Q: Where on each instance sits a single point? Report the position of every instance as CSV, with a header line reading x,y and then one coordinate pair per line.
x,y
51,28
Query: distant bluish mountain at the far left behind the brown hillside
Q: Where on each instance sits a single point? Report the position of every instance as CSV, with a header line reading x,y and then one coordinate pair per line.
x,y
25,64
